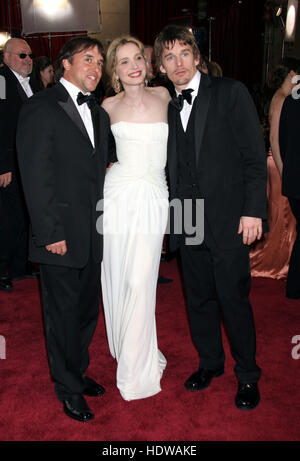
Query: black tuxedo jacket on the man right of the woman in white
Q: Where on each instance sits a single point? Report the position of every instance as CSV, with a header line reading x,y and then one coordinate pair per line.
x,y
230,159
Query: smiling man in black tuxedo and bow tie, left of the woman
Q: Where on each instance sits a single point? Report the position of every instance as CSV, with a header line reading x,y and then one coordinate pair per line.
x,y
62,163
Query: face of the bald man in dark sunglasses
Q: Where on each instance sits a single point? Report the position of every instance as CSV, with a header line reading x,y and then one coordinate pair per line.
x,y
12,57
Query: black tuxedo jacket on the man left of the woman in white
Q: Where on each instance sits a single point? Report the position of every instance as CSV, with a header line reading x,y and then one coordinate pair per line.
x,y
63,175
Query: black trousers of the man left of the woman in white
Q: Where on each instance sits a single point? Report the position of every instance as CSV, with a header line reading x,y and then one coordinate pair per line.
x,y
71,308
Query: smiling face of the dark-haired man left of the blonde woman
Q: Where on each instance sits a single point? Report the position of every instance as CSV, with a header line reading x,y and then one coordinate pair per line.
x,y
85,70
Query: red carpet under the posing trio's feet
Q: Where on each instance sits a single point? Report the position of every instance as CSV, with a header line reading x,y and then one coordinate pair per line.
x,y
31,411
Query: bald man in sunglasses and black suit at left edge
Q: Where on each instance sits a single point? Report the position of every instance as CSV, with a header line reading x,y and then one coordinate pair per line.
x,y
14,221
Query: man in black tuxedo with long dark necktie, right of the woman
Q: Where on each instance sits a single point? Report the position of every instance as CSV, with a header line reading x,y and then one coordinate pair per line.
x,y
215,152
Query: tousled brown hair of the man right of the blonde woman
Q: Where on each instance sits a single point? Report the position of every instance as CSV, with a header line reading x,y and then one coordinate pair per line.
x,y
166,39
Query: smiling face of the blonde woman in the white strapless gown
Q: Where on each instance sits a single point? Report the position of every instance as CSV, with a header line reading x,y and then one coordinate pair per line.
x,y
130,65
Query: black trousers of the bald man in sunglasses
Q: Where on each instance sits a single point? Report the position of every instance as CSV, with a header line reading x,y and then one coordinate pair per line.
x,y
14,225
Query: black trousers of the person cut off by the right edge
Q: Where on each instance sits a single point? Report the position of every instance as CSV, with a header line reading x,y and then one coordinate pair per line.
x,y
293,278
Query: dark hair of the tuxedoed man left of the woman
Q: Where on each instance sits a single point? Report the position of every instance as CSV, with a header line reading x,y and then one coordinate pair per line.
x,y
72,47
